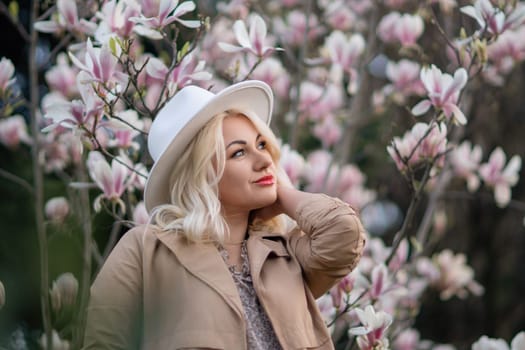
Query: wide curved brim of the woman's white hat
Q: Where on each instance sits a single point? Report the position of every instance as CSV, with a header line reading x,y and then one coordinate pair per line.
x,y
252,98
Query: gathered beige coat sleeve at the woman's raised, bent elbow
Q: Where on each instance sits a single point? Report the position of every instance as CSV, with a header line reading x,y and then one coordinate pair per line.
x,y
328,242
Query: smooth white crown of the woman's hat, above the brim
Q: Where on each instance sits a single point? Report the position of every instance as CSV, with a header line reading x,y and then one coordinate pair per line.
x,y
174,116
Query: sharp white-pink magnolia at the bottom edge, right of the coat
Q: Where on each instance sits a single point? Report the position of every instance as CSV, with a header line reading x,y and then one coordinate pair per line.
x,y
372,333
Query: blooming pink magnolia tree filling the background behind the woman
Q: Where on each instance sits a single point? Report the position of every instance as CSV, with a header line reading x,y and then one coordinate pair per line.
x,y
338,69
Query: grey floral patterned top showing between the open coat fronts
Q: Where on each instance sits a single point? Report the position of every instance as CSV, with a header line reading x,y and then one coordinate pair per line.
x,y
259,331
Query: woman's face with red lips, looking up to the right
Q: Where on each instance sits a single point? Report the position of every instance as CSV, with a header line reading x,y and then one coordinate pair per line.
x,y
249,180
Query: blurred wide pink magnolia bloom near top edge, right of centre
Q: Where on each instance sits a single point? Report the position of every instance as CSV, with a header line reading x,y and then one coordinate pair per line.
x,y
402,28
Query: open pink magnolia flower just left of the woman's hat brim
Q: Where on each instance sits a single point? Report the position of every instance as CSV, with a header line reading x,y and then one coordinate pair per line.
x,y
112,179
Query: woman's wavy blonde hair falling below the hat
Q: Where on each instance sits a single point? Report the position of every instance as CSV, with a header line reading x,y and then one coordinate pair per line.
x,y
194,210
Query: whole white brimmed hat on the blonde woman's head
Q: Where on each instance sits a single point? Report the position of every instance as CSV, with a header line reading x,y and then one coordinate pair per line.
x,y
184,115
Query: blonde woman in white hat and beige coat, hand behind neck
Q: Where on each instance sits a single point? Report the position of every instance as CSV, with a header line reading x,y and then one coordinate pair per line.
x,y
220,266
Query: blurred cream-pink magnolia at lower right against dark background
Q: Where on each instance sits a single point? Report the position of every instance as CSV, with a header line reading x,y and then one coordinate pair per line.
x,y
455,276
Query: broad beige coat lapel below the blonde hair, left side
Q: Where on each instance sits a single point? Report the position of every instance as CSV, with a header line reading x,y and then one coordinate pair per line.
x,y
204,261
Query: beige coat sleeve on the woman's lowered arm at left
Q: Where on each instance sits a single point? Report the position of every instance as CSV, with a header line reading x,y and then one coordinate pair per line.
x,y
115,306
